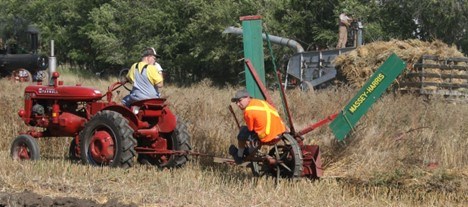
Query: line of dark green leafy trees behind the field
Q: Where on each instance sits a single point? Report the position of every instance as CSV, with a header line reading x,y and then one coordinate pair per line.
x,y
108,35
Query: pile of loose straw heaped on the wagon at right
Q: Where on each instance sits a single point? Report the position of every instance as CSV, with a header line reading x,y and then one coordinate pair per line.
x,y
358,65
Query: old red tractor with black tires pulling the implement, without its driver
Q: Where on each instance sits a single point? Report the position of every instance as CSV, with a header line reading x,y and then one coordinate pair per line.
x,y
105,133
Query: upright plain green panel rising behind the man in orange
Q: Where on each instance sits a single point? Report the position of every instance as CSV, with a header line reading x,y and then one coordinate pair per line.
x,y
253,50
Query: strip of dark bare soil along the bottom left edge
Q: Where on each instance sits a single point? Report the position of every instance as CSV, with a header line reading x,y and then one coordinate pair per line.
x,y
28,199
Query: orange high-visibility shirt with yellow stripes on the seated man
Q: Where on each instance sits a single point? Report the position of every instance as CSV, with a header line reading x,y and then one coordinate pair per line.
x,y
263,118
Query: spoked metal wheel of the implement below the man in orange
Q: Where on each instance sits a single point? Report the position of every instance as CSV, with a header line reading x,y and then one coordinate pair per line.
x,y
288,156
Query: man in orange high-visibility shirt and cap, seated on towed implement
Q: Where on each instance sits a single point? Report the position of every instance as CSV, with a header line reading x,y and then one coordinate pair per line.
x,y
262,120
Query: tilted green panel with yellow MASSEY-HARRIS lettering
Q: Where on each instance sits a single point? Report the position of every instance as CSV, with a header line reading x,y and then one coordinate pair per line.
x,y
368,95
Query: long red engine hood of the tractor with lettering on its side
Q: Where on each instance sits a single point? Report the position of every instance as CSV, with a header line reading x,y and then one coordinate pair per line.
x,y
75,93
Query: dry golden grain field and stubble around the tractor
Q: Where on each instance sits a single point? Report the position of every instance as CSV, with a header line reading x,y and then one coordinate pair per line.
x,y
405,152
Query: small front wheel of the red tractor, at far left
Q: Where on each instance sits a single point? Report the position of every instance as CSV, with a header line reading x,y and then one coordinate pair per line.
x,y
25,147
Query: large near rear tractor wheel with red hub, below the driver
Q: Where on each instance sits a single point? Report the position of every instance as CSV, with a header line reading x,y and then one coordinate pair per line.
x,y
107,140
